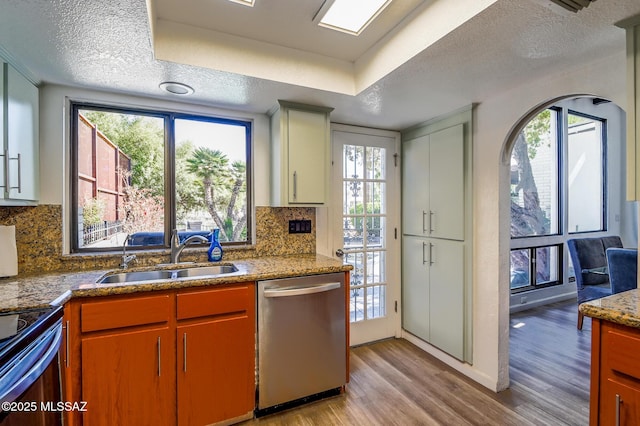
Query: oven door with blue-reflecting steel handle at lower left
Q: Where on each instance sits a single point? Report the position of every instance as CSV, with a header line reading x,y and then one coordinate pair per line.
x,y
30,382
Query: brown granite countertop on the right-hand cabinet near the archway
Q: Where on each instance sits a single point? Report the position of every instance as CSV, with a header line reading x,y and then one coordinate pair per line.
x,y
622,308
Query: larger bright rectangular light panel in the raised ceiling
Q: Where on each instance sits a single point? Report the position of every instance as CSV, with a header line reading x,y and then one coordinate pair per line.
x,y
349,16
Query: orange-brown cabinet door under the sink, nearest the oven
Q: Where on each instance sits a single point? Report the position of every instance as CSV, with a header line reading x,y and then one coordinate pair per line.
x,y
128,378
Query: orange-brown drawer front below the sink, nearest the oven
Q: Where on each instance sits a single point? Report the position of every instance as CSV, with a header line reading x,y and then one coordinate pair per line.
x,y
127,312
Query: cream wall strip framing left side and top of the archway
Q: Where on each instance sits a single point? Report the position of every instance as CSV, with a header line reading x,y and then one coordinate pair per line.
x,y
494,120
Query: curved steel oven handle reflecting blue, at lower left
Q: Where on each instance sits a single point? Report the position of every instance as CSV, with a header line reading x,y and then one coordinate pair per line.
x,y
38,363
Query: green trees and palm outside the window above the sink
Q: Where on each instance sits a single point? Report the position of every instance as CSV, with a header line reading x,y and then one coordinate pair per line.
x,y
205,180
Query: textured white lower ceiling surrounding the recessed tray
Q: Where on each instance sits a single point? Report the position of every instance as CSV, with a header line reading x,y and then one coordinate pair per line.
x,y
107,46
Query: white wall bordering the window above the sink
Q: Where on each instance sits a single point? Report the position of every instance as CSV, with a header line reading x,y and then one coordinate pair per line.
x,y
55,140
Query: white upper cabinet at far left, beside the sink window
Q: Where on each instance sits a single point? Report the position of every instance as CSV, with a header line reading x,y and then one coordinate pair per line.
x,y
19,179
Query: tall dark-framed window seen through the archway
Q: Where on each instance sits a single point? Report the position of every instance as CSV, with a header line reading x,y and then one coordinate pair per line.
x,y
557,189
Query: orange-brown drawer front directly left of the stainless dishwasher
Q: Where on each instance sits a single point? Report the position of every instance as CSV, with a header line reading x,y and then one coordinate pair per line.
x,y
219,301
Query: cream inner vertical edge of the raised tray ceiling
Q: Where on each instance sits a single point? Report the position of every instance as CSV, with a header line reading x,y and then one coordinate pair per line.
x,y
185,44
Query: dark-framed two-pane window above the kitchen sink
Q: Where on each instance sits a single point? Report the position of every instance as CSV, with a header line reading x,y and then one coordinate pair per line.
x,y
137,175
